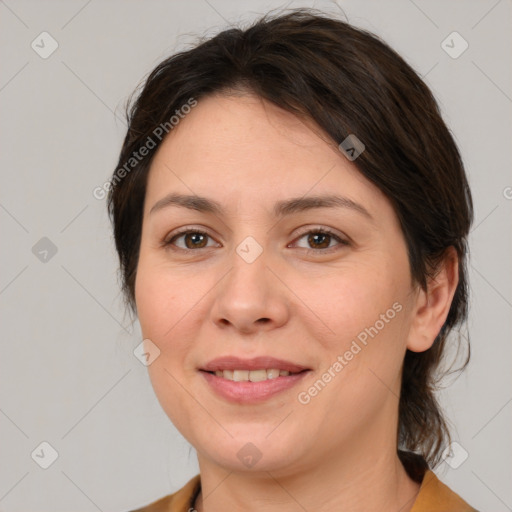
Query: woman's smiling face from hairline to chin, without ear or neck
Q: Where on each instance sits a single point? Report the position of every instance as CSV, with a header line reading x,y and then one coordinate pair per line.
x,y
267,279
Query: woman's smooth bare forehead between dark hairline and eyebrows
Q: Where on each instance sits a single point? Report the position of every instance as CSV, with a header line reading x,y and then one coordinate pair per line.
x,y
239,148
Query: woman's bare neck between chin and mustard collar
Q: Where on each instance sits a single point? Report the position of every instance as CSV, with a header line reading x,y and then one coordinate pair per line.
x,y
356,482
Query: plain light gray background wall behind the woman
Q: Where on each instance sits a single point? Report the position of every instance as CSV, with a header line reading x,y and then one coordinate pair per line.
x,y
68,373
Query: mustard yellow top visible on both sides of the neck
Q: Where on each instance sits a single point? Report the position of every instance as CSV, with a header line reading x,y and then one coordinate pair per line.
x,y
434,496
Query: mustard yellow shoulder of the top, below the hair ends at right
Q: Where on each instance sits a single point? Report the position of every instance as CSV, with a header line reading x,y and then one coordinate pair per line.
x,y
435,496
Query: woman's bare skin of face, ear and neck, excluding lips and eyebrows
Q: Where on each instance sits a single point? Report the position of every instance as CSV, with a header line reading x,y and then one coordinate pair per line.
x,y
337,452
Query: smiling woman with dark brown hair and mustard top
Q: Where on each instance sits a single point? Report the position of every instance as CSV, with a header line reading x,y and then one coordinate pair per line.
x,y
291,213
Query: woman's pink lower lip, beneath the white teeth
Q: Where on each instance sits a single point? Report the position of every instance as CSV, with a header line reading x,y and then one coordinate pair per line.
x,y
251,392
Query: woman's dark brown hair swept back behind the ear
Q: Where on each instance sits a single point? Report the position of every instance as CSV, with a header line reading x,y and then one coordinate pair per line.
x,y
347,81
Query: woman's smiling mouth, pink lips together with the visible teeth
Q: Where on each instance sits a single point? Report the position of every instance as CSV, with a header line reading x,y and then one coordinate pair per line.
x,y
254,380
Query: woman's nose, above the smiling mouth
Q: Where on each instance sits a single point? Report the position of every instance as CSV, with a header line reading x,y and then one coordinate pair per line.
x,y
251,297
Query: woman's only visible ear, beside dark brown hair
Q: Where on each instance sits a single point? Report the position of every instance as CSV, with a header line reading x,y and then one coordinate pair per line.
x,y
433,304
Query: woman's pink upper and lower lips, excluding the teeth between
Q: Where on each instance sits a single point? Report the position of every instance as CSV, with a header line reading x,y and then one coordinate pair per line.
x,y
247,392
